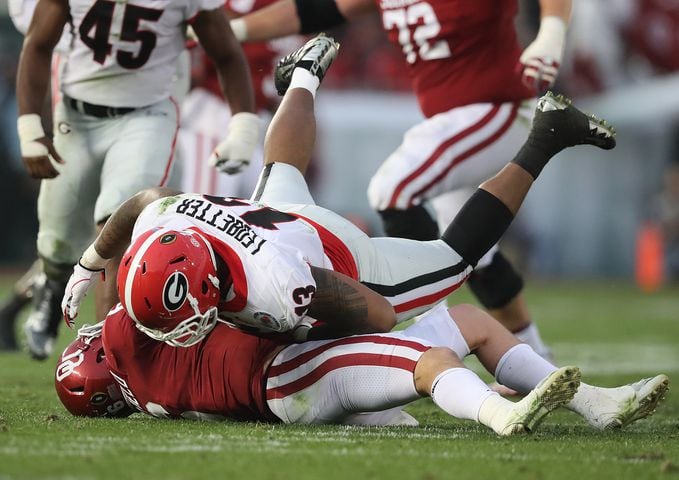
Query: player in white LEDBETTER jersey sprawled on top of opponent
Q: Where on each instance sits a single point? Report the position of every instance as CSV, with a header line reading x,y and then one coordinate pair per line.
x,y
278,261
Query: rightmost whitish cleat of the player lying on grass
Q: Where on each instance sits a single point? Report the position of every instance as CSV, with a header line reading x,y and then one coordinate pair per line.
x,y
618,407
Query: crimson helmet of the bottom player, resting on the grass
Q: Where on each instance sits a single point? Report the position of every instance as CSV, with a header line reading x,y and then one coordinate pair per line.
x,y
84,383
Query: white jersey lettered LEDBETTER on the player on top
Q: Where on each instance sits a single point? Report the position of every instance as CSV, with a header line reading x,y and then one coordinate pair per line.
x,y
268,252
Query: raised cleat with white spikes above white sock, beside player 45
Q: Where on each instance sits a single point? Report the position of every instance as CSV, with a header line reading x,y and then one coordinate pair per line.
x,y
316,56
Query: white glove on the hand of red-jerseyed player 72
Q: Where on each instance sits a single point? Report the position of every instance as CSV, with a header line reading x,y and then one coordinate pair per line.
x,y
540,61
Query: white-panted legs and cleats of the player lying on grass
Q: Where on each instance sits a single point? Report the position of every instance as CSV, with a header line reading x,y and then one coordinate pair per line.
x,y
425,360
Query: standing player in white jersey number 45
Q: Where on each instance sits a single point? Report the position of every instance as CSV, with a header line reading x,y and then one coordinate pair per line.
x,y
115,126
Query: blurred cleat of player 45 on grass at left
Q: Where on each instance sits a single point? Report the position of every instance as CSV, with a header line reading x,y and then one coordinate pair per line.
x,y
42,324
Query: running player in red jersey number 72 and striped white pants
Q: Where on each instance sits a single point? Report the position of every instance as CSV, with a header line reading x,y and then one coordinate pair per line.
x,y
475,86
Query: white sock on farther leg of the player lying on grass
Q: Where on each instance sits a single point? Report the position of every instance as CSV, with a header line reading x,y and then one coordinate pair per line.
x,y
521,369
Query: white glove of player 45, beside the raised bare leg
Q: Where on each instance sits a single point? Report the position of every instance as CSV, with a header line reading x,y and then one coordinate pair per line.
x,y
234,153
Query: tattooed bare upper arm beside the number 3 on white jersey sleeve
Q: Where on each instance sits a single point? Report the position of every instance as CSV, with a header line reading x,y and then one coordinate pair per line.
x,y
347,307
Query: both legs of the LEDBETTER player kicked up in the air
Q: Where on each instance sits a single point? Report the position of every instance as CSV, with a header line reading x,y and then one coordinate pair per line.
x,y
412,275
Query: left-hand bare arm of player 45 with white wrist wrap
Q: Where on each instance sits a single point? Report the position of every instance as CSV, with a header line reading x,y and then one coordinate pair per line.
x,y
32,81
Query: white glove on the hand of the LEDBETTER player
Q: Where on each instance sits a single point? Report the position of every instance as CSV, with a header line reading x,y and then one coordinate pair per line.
x,y
90,264
